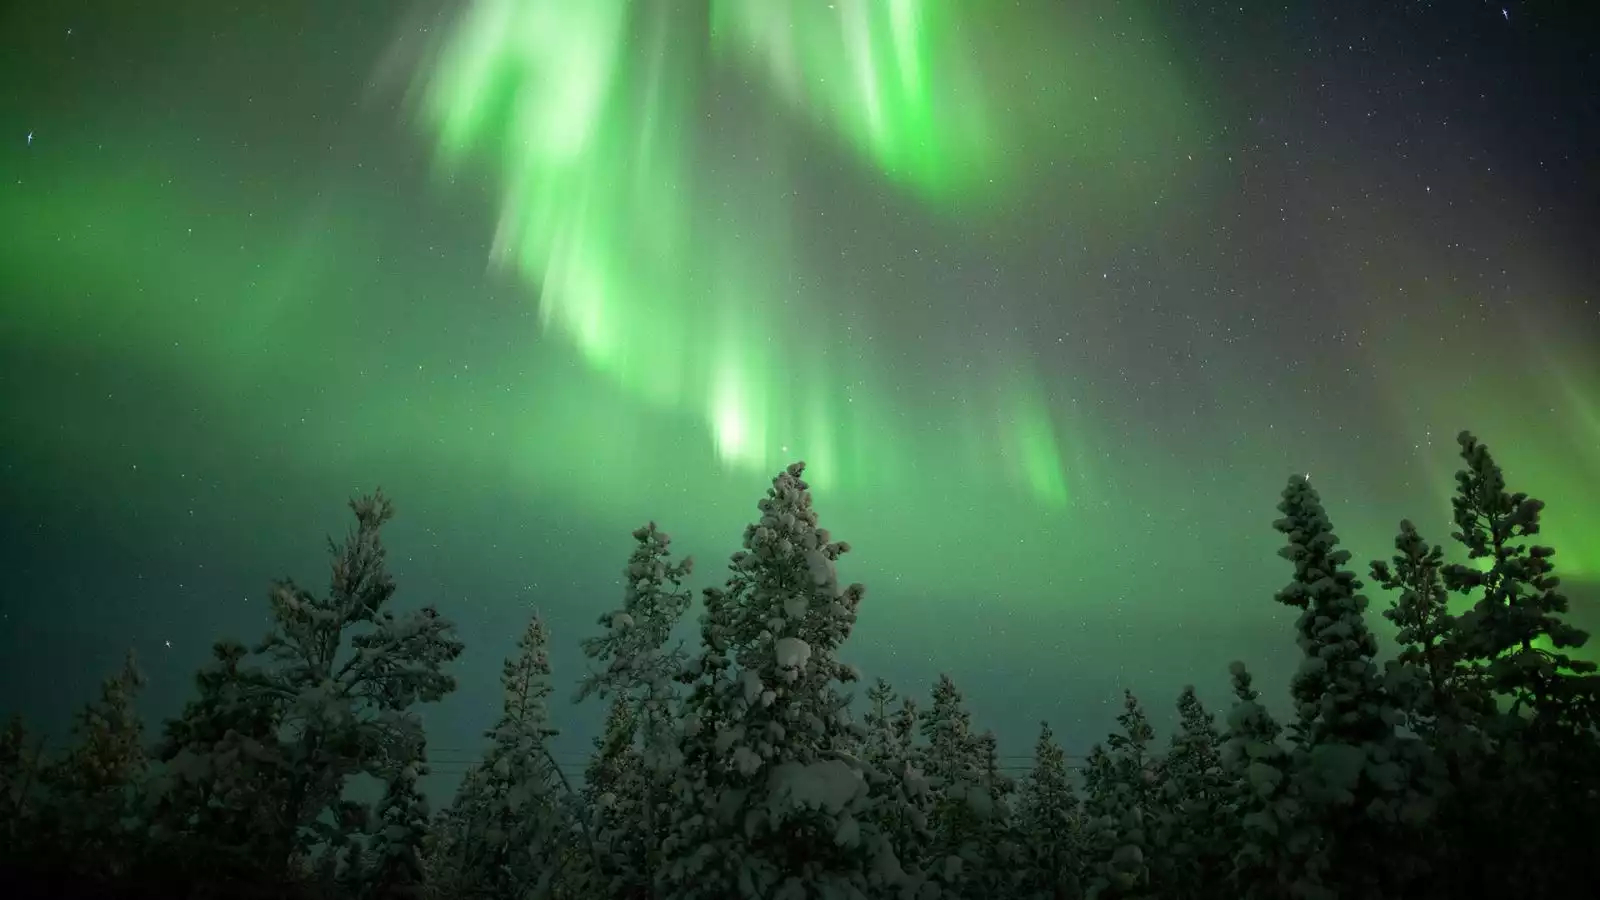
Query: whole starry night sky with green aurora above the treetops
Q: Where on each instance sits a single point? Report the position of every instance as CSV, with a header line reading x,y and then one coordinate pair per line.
x,y
1052,299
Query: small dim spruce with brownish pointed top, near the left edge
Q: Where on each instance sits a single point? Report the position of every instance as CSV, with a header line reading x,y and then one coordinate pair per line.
x,y
92,824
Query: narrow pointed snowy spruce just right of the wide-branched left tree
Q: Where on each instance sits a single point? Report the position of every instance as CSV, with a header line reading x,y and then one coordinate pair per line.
x,y
508,806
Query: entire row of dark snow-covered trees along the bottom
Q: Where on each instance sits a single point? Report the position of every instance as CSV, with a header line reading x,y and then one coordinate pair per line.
x,y
1466,765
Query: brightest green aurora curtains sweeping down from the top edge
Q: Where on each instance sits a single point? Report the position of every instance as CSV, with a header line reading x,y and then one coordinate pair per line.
x,y
646,238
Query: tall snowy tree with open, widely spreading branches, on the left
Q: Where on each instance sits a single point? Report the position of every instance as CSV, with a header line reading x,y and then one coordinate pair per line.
x,y
348,672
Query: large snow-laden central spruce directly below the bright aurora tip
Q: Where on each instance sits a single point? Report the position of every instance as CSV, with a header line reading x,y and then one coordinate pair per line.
x,y
769,806
